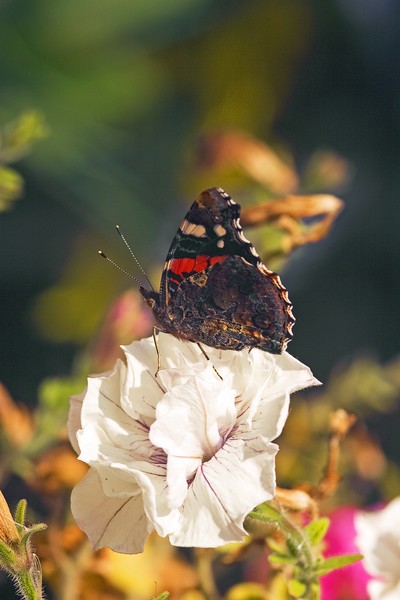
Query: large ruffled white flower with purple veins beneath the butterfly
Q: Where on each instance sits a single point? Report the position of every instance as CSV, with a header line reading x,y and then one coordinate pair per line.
x,y
186,454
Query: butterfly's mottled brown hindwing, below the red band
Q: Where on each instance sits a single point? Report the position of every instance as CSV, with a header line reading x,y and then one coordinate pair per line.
x,y
232,305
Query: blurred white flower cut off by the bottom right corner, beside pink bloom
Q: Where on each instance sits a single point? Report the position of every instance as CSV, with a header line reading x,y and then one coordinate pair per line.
x,y
378,539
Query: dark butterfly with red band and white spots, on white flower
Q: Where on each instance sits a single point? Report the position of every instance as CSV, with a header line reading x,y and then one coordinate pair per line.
x,y
215,289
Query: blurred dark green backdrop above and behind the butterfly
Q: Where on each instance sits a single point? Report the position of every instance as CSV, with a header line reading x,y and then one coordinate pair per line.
x,y
124,92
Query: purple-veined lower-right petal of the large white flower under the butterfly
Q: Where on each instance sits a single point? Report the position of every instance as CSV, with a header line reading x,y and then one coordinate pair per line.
x,y
224,491
